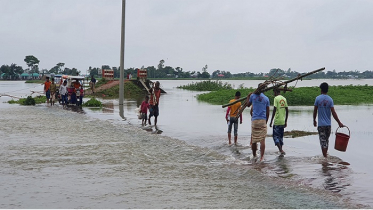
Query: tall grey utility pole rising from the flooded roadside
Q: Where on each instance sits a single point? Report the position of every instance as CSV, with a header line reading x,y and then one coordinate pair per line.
x,y
121,78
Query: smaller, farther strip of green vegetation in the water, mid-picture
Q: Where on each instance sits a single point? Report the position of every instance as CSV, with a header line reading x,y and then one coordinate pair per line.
x,y
207,86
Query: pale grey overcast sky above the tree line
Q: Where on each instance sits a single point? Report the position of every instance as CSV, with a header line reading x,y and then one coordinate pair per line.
x,y
231,35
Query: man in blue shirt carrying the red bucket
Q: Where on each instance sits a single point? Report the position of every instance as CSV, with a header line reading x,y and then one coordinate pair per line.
x,y
324,107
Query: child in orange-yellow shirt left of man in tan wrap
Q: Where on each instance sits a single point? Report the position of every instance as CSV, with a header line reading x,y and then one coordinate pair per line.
x,y
232,120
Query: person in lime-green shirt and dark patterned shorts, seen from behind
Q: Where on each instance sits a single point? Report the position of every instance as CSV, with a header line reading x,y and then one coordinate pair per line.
x,y
280,114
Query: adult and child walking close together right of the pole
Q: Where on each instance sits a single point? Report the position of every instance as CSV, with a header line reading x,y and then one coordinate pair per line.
x,y
152,105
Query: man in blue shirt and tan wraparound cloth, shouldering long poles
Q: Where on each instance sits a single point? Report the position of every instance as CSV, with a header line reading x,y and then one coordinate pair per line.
x,y
259,121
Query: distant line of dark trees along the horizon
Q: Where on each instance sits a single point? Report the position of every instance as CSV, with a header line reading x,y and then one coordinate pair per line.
x,y
13,72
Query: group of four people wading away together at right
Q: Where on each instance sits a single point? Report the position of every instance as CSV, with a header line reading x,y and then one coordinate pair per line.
x,y
323,109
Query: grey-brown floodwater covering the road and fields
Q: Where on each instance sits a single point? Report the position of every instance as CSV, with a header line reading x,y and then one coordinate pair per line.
x,y
92,158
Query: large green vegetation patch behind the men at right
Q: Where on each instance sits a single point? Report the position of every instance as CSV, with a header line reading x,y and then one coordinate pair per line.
x,y
303,96
